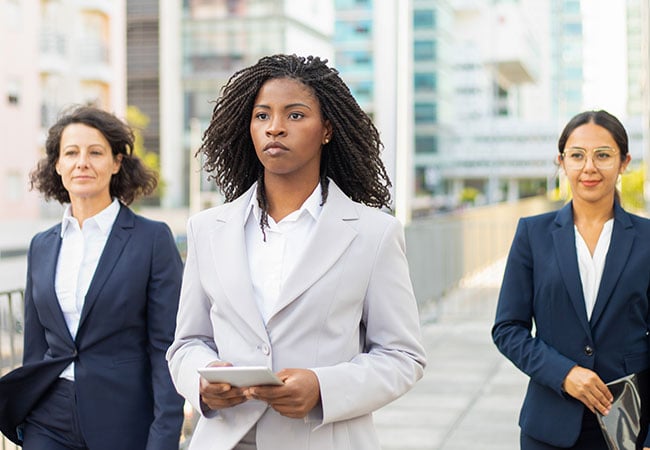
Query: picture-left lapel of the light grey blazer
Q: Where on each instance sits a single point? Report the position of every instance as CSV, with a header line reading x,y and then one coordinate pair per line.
x,y
228,248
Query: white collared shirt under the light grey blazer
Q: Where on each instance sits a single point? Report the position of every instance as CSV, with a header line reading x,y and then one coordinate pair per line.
x,y
271,261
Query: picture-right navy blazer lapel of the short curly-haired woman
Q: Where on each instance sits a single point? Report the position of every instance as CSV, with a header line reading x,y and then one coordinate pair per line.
x,y
117,240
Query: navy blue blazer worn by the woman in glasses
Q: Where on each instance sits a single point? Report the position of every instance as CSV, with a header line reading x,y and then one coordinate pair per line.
x,y
541,285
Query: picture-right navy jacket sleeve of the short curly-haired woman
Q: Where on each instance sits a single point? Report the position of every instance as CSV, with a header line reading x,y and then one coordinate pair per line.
x,y
162,304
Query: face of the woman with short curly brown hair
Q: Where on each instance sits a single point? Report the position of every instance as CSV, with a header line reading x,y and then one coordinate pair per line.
x,y
86,163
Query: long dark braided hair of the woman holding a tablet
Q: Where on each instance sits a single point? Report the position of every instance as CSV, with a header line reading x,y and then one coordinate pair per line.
x,y
350,158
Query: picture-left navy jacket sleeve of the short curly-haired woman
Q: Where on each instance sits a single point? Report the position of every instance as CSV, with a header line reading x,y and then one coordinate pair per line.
x,y
34,343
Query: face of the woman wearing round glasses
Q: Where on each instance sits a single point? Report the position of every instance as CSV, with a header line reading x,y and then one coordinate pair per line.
x,y
592,183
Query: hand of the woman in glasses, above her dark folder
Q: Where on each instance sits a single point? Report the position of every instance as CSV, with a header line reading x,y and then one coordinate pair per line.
x,y
586,386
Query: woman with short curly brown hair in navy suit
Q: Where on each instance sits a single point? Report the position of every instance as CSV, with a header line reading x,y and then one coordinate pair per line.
x,y
100,302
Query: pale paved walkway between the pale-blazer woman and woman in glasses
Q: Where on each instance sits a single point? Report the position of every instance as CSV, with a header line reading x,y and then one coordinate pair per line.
x,y
470,395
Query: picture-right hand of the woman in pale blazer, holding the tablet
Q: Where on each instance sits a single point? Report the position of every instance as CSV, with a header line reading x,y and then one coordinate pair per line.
x,y
295,398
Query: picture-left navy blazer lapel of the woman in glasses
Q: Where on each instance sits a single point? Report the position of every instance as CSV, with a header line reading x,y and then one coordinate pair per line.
x,y
567,260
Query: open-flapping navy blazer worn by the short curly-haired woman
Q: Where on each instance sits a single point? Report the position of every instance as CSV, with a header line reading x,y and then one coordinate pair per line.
x,y
125,395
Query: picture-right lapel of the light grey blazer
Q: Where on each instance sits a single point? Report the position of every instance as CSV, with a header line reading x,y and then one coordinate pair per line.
x,y
331,236
